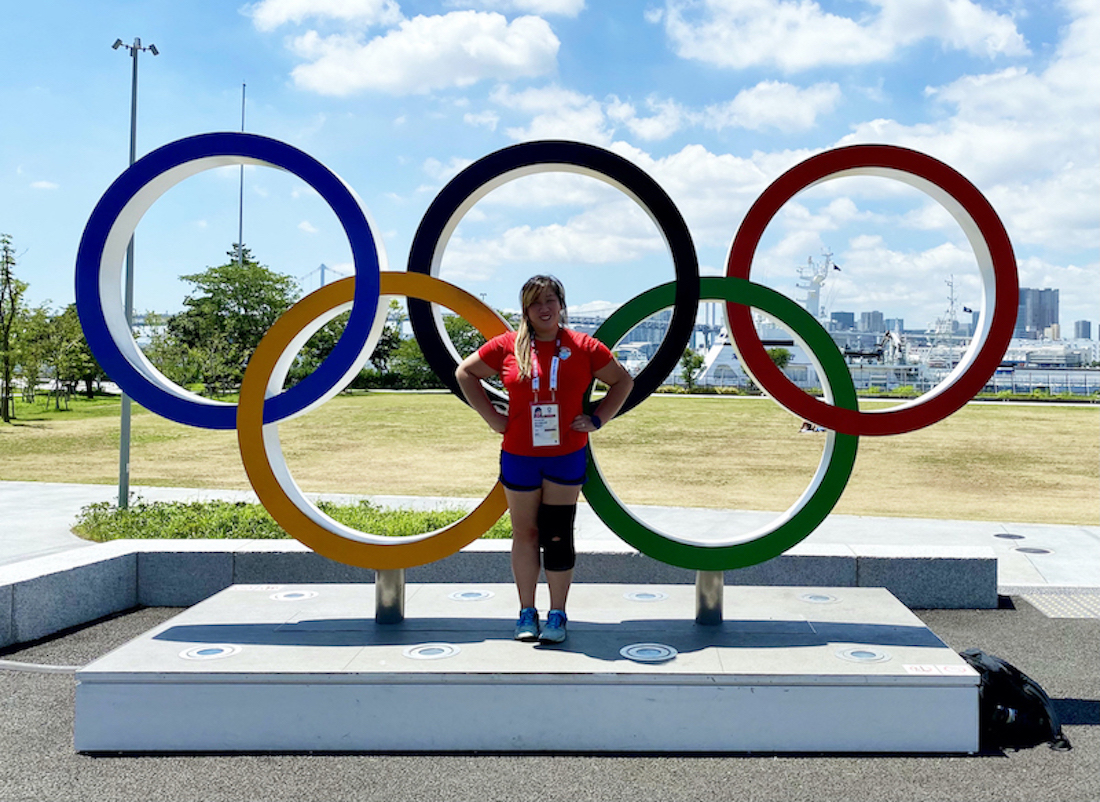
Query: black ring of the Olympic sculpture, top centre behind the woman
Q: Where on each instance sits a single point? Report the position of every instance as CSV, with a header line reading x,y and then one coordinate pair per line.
x,y
502,167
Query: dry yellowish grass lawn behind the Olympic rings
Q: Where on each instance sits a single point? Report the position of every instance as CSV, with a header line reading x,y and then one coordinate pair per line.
x,y
987,463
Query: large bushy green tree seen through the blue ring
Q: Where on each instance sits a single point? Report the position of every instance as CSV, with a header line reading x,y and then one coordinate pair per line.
x,y
225,318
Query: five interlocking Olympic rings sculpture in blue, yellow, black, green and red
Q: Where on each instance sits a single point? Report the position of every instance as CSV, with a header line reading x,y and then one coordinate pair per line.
x,y
265,402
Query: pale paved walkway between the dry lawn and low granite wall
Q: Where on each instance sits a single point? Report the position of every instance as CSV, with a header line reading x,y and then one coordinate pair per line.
x,y
36,520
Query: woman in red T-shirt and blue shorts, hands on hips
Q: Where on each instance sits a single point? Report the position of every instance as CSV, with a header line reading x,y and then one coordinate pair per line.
x,y
546,369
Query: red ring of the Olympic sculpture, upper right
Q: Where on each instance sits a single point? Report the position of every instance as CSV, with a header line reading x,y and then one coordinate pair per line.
x,y
932,408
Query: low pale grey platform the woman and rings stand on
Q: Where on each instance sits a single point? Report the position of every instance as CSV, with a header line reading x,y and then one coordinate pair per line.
x,y
305,668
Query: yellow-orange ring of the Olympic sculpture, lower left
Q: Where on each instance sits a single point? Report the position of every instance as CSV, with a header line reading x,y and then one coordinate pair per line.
x,y
263,457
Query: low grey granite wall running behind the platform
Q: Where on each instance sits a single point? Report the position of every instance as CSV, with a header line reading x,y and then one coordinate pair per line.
x,y
46,596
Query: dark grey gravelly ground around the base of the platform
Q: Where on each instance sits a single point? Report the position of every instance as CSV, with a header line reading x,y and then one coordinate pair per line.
x,y
38,761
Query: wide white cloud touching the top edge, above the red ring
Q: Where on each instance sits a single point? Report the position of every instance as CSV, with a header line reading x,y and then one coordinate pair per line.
x,y
797,36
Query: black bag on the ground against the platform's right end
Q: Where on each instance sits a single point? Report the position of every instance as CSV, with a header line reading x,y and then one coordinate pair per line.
x,y
1014,710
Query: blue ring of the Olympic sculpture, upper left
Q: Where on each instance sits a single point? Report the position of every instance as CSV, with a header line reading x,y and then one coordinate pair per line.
x,y
343,202
